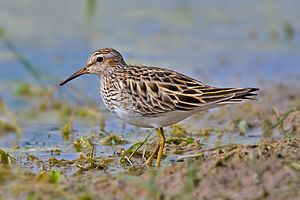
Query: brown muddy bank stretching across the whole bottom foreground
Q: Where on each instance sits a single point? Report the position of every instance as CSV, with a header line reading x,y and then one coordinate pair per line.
x,y
268,170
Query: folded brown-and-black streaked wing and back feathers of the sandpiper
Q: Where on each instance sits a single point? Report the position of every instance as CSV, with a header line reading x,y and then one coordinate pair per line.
x,y
160,90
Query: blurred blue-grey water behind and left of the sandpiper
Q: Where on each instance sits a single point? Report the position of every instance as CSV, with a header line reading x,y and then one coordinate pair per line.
x,y
222,43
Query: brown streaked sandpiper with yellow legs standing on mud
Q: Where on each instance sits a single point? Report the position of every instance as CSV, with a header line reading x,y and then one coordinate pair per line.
x,y
153,97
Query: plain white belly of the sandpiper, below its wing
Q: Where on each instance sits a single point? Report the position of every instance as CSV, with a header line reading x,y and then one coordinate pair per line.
x,y
162,120
